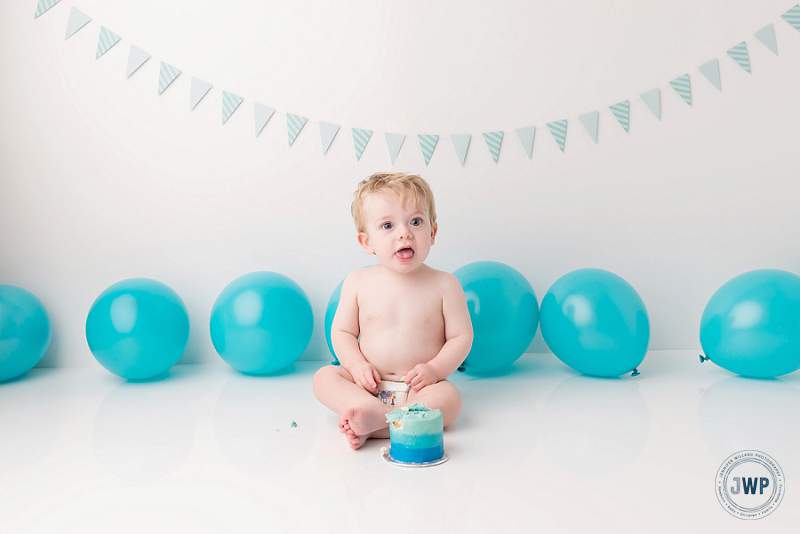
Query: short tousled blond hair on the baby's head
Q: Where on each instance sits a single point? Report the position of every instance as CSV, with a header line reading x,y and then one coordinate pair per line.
x,y
398,182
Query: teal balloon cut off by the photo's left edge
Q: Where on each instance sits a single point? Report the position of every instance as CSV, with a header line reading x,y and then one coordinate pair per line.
x,y
24,331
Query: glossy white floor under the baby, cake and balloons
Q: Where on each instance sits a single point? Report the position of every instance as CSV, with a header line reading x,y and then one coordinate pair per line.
x,y
539,448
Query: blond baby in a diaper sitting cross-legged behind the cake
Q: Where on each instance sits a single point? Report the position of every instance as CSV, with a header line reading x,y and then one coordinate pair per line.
x,y
401,327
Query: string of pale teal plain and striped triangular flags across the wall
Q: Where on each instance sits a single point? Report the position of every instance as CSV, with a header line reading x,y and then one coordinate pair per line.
x,y
621,110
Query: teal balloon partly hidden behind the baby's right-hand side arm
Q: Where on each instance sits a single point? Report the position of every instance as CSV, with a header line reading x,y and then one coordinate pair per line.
x,y
504,313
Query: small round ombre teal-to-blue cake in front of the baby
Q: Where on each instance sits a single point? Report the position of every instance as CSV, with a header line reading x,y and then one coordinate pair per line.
x,y
415,434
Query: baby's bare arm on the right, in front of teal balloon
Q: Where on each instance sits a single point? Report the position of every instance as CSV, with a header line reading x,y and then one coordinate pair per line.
x,y
458,338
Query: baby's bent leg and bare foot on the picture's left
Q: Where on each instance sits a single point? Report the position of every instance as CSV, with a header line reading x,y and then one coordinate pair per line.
x,y
362,415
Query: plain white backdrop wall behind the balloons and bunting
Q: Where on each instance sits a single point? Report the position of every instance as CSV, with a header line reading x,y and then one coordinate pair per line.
x,y
102,179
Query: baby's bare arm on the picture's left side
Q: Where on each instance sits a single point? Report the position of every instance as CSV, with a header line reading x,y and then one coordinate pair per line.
x,y
344,337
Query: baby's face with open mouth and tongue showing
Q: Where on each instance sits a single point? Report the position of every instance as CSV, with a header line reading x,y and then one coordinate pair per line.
x,y
400,236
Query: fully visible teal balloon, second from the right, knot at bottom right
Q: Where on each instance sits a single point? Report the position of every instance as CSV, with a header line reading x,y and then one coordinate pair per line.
x,y
595,322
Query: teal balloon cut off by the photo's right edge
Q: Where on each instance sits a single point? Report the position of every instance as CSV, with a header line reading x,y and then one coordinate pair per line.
x,y
751,325
